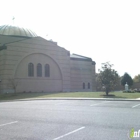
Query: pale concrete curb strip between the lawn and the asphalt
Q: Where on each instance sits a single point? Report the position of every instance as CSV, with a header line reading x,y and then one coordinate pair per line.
x,y
101,99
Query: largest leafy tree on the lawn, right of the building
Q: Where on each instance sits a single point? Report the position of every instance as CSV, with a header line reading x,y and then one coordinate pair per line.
x,y
108,77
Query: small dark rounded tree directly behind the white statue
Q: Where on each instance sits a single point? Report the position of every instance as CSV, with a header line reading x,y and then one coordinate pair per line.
x,y
126,78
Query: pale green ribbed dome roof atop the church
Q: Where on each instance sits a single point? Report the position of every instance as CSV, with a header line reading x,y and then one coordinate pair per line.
x,y
16,31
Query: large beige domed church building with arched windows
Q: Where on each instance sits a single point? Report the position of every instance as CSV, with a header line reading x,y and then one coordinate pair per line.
x,y
30,63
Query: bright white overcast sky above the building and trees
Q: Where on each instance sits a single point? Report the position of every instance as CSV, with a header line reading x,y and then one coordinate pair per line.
x,y
105,30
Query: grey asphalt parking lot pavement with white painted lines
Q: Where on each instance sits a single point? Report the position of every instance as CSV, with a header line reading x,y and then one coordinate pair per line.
x,y
68,119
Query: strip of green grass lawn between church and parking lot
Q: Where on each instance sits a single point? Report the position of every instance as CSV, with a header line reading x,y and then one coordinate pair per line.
x,y
71,94
